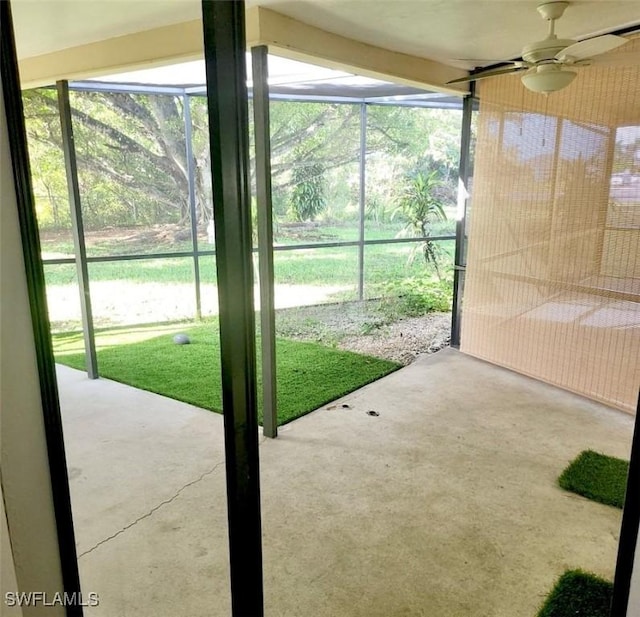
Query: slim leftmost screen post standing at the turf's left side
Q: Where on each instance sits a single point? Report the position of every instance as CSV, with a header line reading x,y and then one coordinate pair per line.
x,y
69,148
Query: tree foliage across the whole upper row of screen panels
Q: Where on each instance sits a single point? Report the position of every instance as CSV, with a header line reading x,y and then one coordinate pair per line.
x,y
132,161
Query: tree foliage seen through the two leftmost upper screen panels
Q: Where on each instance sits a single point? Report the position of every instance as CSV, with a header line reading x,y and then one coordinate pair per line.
x,y
131,157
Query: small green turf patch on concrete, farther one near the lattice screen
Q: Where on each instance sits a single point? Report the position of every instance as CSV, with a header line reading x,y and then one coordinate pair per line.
x,y
598,477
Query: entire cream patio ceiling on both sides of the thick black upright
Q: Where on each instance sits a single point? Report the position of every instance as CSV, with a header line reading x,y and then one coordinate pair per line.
x,y
444,30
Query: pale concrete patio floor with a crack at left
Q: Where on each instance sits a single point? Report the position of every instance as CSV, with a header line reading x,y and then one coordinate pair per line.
x,y
445,504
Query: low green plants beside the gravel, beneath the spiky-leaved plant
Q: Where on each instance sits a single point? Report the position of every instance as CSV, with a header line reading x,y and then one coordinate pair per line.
x,y
415,296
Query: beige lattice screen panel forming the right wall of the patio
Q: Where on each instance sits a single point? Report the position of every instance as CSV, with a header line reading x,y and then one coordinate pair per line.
x,y
553,278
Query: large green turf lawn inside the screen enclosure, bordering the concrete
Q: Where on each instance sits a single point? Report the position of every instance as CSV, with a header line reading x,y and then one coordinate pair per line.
x,y
309,375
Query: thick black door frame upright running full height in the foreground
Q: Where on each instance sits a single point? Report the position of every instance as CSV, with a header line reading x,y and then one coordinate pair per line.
x,y
224,42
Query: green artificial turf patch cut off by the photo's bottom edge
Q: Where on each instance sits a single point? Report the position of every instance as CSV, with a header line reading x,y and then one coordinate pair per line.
x,y
578,594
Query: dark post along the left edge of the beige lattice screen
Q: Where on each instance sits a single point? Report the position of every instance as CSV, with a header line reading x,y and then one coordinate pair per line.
x,y
460,258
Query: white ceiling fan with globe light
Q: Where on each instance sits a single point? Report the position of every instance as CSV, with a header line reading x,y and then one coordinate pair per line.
x,y
547,65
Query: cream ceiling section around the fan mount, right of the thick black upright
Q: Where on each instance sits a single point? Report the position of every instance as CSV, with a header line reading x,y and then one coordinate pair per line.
x,y
448,30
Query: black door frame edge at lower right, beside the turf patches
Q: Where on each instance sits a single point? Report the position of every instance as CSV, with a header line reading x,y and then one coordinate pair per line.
x,y
629,530
